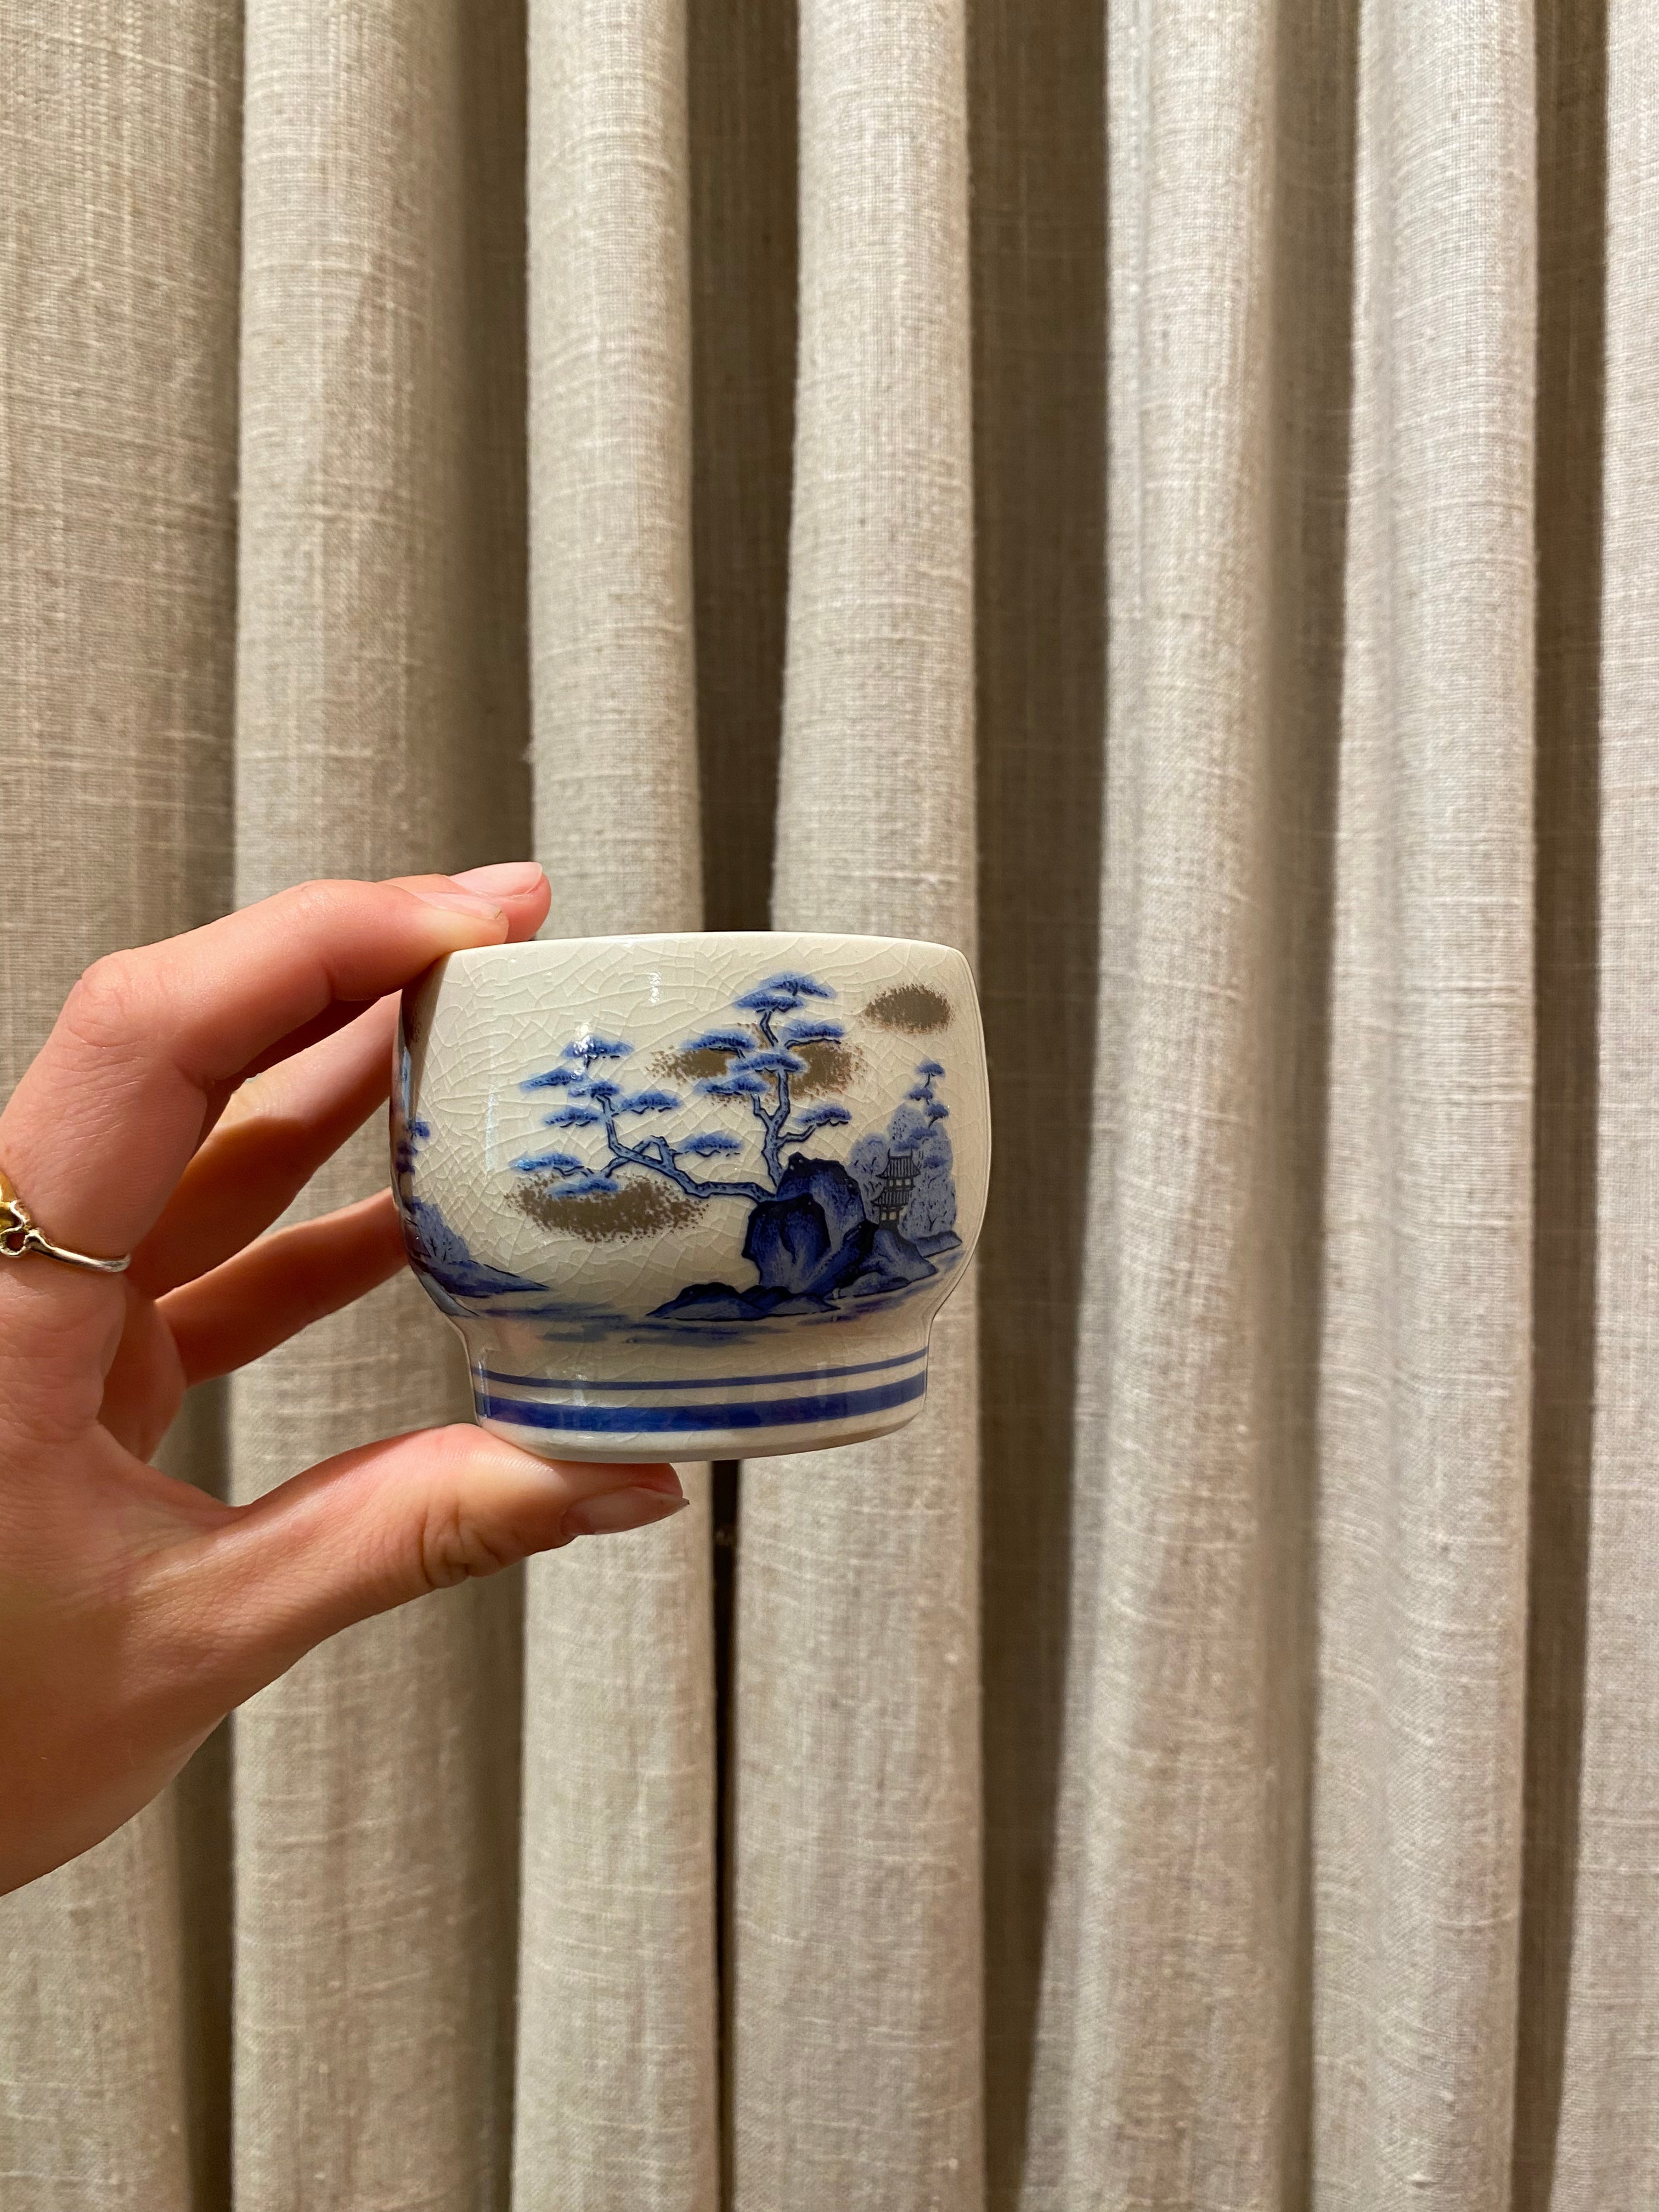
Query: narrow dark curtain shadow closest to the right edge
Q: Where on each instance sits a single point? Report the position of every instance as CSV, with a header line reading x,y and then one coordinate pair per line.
x,y
1572,353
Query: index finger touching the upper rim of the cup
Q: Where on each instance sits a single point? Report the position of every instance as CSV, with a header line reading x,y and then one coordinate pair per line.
x,y
107,1116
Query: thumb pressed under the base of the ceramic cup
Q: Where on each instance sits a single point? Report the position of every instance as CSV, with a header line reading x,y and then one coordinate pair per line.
x,y
395,1521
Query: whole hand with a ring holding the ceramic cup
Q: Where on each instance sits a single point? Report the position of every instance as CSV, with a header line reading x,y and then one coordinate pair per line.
x,y
182,1100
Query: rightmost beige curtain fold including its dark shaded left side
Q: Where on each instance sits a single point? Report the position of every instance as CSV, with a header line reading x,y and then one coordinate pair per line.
x,y
1587,2129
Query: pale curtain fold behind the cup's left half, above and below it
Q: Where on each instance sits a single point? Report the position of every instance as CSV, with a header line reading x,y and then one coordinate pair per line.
x,y
618,2014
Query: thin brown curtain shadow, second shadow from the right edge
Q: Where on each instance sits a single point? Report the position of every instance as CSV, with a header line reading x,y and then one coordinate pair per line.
x,y
1317,83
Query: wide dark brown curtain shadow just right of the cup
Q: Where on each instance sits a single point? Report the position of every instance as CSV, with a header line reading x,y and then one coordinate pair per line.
x,y
1039,260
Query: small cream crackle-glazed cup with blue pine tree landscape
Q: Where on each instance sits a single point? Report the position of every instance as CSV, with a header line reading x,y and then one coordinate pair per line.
x,y
693,1198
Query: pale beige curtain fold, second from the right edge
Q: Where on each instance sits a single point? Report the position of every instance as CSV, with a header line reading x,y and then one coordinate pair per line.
x,y
1426,1361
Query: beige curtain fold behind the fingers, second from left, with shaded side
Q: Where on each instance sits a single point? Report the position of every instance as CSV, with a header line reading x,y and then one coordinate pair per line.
x,y
379,729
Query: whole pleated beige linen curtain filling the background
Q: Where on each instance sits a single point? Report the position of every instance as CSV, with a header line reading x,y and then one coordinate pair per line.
x,y
1158,494
